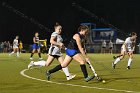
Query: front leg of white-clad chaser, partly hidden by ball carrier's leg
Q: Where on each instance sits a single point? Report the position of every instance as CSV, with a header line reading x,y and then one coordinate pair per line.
x,y
65,70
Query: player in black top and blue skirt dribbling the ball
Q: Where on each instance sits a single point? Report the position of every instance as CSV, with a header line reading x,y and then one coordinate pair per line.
x,y
75,51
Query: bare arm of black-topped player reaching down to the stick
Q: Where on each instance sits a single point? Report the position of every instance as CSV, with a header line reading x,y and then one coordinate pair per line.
x,y
78,41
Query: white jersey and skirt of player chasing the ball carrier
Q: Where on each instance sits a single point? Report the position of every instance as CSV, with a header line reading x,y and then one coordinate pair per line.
x,y
54,49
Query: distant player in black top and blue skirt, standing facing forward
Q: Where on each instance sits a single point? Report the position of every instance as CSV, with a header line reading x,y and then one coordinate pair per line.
x,y
36,46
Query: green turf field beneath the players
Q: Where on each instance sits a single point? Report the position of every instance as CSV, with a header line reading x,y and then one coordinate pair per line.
x,y
119,80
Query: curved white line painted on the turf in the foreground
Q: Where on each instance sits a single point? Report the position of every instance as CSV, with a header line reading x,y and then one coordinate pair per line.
x,y
74,85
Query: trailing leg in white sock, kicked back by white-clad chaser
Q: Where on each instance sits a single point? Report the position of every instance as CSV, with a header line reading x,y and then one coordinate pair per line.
x,y
42,62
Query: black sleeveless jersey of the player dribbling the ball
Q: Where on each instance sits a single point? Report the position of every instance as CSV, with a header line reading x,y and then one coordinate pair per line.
x,y
73,45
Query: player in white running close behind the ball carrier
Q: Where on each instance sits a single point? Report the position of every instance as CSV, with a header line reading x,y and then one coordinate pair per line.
x,y
54,52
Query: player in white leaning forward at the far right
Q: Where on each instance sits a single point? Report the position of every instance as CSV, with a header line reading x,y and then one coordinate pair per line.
x,y
127,48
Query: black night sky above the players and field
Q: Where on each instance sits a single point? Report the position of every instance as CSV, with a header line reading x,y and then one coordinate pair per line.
x,y
124,14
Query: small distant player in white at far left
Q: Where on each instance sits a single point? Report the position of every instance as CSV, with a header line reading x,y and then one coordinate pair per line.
x,y
15,46
